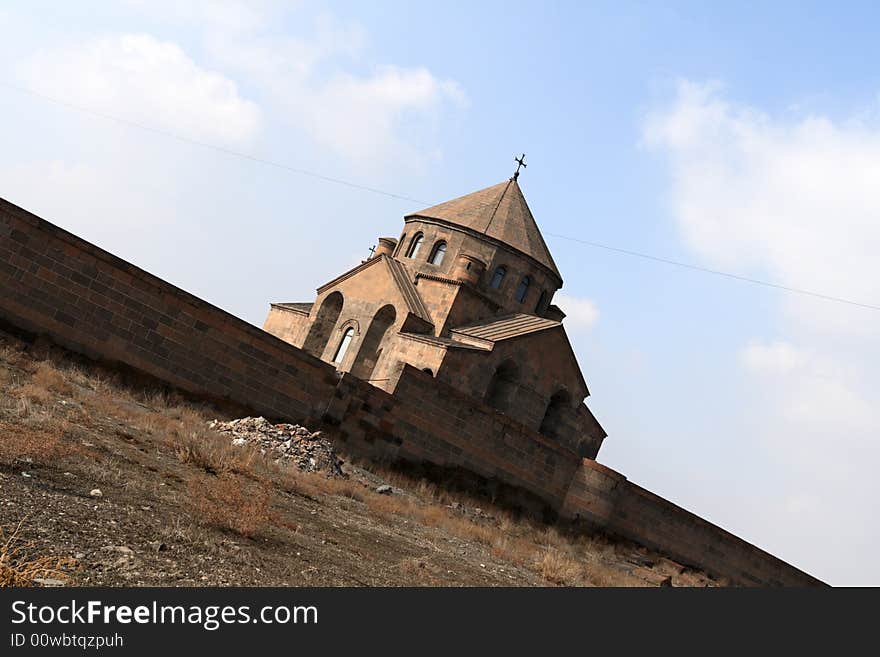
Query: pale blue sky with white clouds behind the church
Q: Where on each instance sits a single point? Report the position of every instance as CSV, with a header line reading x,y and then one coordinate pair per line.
x,y
743,138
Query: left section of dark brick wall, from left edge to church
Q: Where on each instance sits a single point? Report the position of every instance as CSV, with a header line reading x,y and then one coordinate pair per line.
x,y
92,302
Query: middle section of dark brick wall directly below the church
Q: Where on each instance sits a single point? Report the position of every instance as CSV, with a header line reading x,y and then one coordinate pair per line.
x,y
427,421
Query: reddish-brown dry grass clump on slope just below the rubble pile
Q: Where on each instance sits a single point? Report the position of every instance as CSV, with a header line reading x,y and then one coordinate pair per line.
x,y
228,502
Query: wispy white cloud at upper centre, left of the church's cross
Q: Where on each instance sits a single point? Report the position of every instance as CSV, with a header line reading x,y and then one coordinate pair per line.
x,y
385,114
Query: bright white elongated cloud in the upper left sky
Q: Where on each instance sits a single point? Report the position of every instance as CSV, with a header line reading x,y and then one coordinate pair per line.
x,y
142,79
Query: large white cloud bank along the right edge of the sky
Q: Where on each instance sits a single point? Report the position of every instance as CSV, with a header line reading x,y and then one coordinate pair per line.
x,y
795,198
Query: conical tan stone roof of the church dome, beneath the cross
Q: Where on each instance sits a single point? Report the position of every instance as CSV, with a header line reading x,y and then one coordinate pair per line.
x,y
500,212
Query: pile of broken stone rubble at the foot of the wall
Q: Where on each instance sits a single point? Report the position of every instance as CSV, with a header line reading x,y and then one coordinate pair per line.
x,y
286,443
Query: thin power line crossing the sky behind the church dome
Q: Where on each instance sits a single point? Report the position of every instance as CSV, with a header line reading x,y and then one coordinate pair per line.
x,y
374,190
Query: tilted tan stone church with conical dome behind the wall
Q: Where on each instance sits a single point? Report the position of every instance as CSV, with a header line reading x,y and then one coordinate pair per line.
x,y
464,294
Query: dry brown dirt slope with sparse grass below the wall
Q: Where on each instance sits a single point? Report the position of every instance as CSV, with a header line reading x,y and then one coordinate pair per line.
x,y
103,482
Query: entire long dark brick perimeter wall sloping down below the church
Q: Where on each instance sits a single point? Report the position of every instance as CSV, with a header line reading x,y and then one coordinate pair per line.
x,y
83,298
